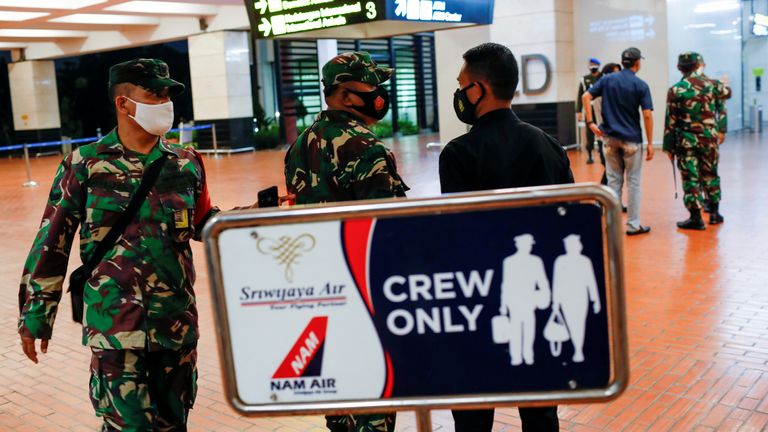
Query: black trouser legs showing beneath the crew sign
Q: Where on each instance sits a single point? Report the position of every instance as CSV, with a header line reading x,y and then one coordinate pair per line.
x,y
534,420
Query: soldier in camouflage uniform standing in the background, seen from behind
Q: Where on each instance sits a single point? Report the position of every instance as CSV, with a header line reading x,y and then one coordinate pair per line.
x,y
692,133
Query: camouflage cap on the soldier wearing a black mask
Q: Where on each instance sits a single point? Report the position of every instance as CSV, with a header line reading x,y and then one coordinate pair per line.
x,y
354,66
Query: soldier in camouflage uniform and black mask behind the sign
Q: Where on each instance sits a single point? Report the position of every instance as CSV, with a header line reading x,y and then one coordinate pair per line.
x,y
339,158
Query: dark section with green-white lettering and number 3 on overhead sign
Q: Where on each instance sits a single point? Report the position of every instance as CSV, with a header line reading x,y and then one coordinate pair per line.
x,y
273,18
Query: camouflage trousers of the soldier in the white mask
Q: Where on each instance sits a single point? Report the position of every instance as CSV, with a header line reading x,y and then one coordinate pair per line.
x,y
138,390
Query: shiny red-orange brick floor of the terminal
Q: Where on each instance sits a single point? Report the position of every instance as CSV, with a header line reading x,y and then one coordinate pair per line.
x,y
697,307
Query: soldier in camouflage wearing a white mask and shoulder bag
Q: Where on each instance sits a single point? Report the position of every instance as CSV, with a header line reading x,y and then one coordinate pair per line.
x,y
140,317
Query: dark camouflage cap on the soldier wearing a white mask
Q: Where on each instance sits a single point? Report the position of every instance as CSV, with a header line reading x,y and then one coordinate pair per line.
x,y
150,74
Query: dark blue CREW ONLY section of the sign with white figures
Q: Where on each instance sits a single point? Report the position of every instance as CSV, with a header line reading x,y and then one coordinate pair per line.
x,y
497,301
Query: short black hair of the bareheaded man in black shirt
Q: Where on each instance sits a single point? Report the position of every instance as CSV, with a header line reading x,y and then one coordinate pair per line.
x,y
497,65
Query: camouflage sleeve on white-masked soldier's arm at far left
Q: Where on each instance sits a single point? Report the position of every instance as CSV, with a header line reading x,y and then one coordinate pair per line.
x,y
46,264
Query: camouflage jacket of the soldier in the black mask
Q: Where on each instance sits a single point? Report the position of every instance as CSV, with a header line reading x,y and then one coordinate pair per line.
x,y
339,159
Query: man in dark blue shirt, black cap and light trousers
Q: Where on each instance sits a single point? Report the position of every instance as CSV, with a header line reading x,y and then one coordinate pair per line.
x,y
624,95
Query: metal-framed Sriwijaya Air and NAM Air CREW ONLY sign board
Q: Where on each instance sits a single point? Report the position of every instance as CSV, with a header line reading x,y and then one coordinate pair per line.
x,y
470,300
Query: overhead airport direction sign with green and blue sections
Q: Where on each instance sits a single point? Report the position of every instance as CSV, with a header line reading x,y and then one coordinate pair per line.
x,y
279,18
